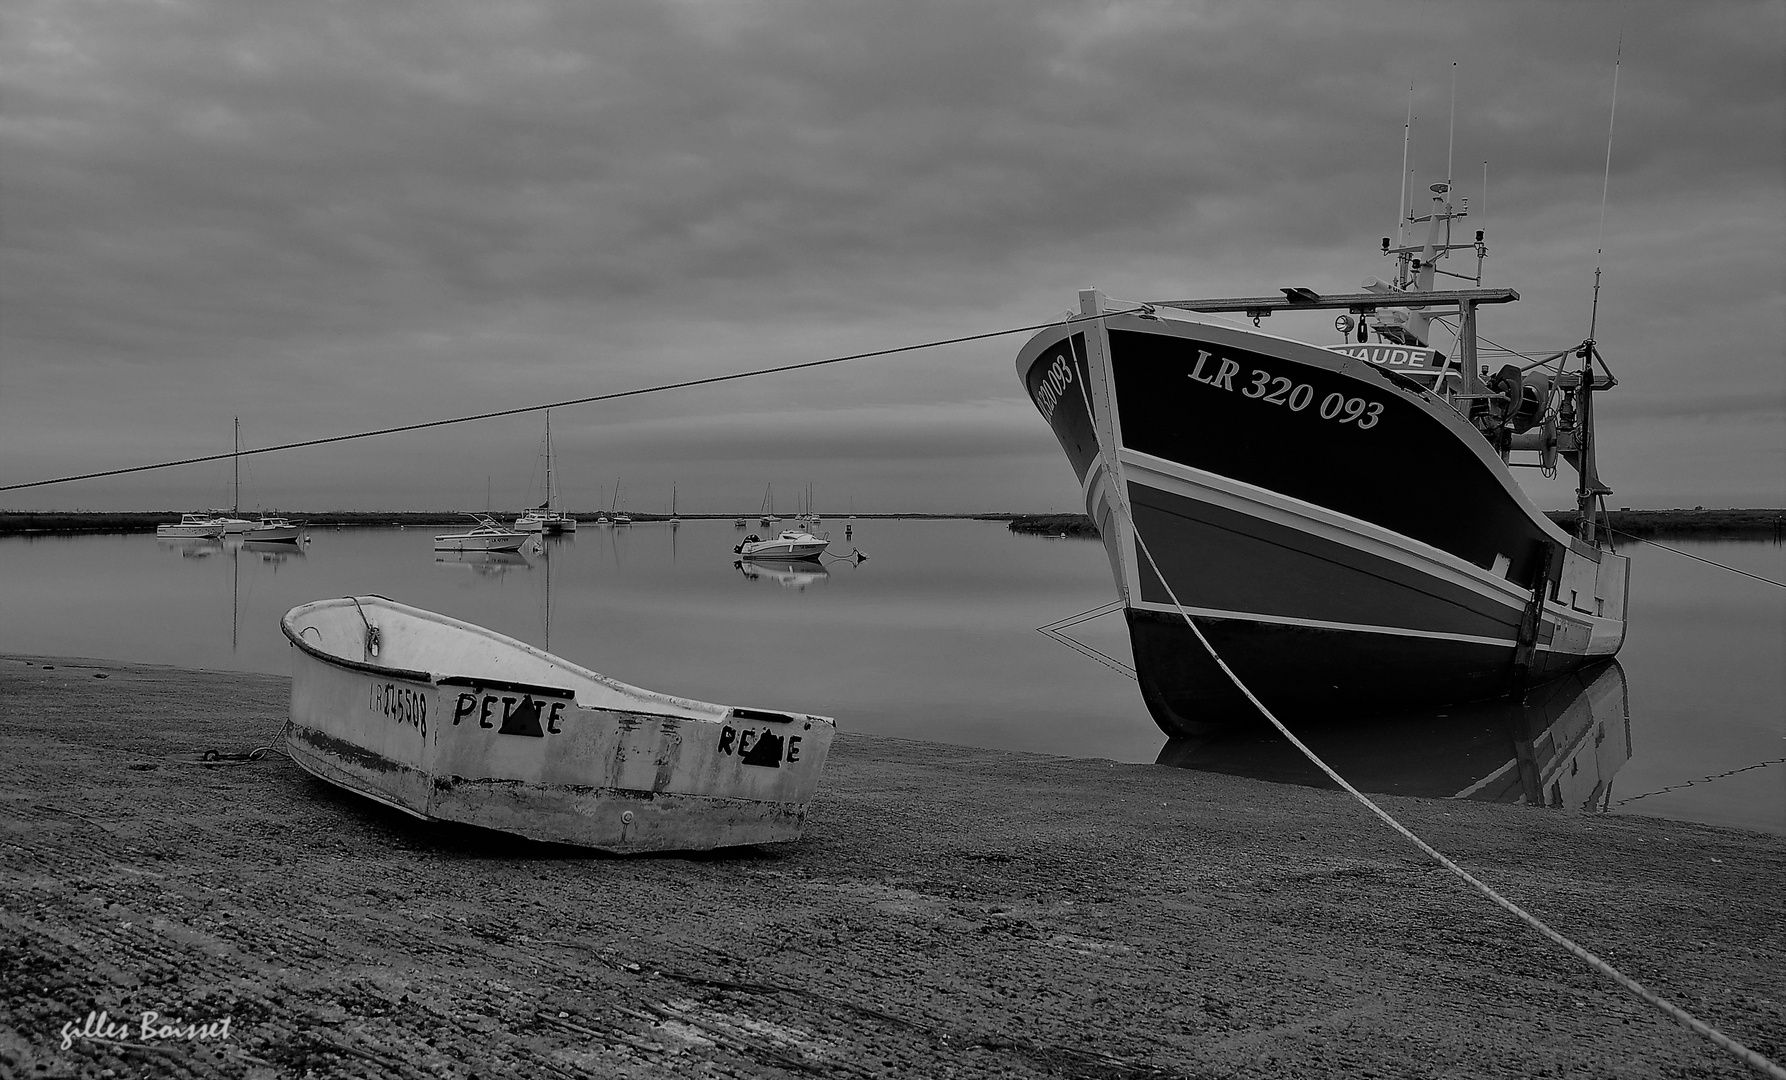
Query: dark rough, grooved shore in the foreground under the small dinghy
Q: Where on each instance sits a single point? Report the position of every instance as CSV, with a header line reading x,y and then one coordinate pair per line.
x,y
949,913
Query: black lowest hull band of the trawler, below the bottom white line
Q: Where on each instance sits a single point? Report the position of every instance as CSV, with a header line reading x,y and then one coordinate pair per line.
x,y
1306,674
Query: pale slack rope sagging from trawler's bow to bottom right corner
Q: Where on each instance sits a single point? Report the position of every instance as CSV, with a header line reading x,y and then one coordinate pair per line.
x,y
1751,1058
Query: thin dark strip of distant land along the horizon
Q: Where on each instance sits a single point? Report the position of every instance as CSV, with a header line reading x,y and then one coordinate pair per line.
x,y
1730,524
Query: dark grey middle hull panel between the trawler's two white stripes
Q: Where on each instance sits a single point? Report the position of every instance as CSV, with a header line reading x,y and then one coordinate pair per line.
x,y
1224,560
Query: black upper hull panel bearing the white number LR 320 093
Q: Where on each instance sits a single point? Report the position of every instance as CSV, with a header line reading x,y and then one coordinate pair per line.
x,y
1414,470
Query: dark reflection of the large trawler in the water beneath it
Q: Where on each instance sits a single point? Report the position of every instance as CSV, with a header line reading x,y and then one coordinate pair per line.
x,y
1558,745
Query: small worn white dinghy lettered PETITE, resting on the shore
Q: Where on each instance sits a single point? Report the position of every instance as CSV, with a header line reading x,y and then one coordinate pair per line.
x,y
453,722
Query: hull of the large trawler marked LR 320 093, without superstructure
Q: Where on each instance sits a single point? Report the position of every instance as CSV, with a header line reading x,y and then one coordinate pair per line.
x,y
1342,538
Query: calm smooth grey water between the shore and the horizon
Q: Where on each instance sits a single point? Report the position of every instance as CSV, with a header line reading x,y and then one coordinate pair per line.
x,y
935,638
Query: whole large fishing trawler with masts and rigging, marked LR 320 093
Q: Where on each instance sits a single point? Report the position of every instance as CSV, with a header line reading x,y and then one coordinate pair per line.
x,y
1337,522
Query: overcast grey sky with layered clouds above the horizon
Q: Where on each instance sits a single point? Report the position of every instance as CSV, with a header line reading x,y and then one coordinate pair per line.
x,y
331,217
